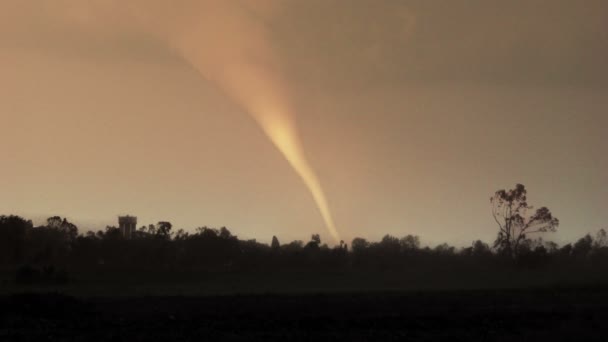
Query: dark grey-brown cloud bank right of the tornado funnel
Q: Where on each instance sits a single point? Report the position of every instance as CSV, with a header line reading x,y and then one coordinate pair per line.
x,y
523,42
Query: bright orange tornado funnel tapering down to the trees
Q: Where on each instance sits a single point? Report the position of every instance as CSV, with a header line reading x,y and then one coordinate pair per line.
x,y
229,46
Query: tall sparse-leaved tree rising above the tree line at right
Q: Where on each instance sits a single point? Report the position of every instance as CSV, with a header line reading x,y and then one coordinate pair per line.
x,y
510,210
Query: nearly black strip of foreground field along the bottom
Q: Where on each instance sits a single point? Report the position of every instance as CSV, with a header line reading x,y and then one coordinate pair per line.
x,y
498,315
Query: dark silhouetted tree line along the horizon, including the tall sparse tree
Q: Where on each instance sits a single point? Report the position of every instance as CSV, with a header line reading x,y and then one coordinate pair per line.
x,y
519,243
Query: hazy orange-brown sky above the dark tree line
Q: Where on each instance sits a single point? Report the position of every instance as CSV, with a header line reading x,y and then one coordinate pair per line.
x,y
411,114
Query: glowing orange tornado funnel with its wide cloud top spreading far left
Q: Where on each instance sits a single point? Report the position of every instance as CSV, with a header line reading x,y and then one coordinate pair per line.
x,y
228,43
